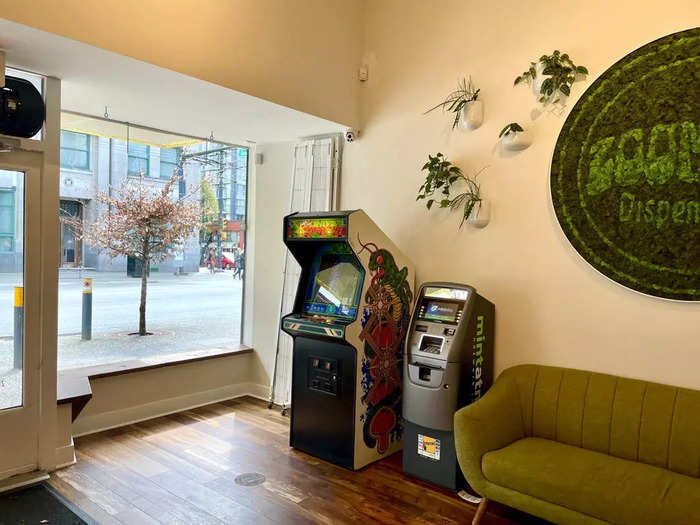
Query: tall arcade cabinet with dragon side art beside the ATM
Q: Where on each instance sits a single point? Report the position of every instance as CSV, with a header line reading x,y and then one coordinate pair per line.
x,y
350,319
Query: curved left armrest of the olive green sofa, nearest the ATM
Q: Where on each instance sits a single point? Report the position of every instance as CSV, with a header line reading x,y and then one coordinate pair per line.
x,y
490,423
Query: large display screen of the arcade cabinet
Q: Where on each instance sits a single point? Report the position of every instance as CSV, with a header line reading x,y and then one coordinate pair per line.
x,y
334,289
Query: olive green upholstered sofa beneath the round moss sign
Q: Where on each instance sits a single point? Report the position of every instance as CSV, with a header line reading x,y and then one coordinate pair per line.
x,y
576,447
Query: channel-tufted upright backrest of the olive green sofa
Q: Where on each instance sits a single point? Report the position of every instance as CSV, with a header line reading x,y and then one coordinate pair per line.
x,y
627,418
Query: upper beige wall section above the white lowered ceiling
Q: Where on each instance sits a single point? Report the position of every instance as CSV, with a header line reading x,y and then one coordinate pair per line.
x,y
299,53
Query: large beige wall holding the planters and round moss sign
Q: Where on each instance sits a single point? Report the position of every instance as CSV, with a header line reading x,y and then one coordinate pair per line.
x,y
552,307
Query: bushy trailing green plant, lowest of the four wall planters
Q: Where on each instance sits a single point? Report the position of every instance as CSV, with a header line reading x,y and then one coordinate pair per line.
x,y
442,177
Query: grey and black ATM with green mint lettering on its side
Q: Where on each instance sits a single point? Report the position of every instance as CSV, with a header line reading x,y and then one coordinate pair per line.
x,y
448,363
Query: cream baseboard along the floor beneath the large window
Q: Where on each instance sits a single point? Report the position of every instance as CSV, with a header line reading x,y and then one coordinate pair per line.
x,y
86,424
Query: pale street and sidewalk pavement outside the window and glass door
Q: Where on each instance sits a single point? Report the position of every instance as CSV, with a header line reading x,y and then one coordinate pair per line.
x,y
184,313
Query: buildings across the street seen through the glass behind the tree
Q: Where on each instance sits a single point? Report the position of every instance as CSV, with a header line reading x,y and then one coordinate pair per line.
x,y
92,164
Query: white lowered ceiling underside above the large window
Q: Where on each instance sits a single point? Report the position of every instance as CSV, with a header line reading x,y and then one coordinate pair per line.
x,y
144,94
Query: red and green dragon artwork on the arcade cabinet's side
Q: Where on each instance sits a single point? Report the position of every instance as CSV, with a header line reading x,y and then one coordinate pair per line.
x,y
385,321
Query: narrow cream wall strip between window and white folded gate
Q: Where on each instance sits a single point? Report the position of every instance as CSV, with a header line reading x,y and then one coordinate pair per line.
x,y
272,180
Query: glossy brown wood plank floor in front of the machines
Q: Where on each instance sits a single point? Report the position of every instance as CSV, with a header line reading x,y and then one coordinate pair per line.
x,y
181,469
